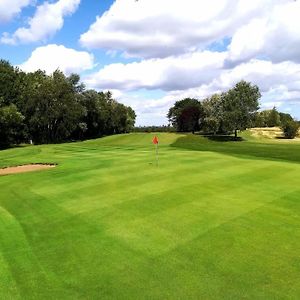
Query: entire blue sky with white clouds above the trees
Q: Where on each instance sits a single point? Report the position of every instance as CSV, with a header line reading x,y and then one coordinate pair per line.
x,y
150,53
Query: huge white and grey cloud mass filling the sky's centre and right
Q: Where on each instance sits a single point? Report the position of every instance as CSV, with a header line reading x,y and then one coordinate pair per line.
x,y
195,48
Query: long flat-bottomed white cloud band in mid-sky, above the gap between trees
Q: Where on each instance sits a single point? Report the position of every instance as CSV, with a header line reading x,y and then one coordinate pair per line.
x,y
171,73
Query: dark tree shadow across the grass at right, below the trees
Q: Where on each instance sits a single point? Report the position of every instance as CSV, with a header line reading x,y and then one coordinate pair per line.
x,y
267,151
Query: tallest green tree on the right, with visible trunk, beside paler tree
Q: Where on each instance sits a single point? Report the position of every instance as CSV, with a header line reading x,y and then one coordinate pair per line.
x,y
239,106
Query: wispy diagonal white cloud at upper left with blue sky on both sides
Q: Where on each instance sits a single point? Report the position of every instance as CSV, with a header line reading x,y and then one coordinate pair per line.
x,y
48,19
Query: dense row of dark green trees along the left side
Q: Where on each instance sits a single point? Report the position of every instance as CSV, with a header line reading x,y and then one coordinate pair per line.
x,y
54,108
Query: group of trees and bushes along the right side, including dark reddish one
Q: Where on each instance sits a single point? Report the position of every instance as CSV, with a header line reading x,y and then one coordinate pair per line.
x,y
229,112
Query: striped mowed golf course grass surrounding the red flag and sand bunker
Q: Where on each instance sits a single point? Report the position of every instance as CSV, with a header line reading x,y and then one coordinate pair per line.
x,y
215,220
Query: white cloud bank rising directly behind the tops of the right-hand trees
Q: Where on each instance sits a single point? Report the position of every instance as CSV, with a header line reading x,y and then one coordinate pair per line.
x,y
279,83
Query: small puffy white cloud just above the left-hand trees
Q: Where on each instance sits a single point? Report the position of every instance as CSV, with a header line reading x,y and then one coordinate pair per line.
x,y
53,57
